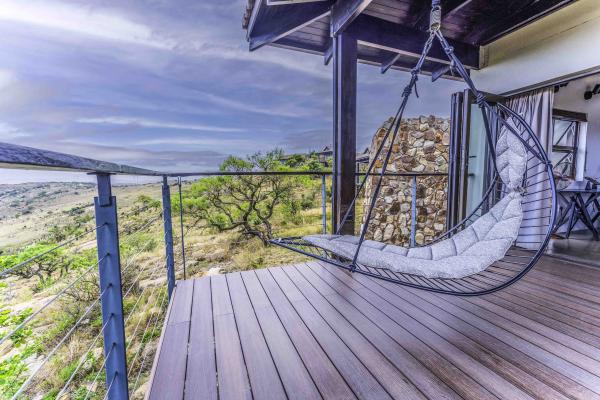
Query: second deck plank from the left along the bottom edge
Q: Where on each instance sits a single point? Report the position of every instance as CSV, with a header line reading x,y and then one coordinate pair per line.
x,y
201,379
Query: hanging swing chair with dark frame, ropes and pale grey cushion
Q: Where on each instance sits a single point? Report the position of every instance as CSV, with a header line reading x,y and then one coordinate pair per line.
x,y
495,246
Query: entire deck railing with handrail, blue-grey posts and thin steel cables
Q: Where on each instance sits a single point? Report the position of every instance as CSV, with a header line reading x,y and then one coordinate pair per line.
x,y
21,157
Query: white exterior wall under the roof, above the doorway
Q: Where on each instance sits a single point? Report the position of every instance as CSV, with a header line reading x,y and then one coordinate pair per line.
x,y
560,45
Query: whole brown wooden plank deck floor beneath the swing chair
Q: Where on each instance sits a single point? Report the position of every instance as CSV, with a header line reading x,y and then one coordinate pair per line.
x,y
313,331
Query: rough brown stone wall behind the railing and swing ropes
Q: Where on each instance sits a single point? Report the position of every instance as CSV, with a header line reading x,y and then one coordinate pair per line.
x,y
421,146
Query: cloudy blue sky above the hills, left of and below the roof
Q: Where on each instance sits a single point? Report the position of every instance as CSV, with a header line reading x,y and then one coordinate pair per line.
x,y
171,85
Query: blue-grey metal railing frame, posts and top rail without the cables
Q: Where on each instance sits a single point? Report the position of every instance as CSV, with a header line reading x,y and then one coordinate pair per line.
x,y
107,235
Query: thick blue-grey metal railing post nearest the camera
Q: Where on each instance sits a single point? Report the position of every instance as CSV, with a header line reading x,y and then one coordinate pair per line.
x,y
109,267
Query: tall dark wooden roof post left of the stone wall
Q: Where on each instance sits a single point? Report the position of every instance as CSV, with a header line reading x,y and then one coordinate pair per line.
x,y
344,129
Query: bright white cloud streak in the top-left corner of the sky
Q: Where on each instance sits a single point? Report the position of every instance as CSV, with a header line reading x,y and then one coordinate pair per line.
x,y
80,20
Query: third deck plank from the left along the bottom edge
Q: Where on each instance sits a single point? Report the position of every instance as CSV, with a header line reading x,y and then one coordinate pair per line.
x,y
231,368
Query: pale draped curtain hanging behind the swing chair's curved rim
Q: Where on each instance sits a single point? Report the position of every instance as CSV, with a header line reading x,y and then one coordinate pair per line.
x,y
536,109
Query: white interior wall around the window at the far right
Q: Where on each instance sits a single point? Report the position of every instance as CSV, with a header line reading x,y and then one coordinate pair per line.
x,y
571,98
